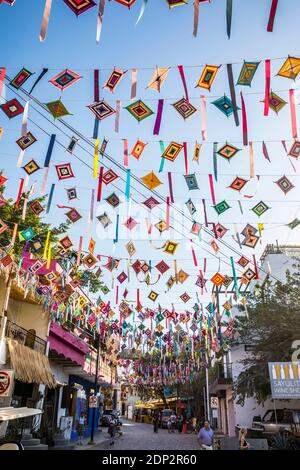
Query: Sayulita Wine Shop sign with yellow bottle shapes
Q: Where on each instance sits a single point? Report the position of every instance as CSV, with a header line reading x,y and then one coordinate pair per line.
x,y
285,379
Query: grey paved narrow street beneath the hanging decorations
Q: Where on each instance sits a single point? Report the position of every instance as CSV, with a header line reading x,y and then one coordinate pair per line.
x,y
138,436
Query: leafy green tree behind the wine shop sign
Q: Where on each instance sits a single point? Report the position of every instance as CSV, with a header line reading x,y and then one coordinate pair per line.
x,y
271,326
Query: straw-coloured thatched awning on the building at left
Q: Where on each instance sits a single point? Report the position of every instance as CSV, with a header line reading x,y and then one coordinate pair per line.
x,y
29,365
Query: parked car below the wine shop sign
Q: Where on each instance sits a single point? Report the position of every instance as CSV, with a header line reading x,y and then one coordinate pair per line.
x,y
285,420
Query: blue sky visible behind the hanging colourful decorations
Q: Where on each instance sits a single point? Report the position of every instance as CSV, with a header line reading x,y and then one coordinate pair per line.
x,y
162,38
